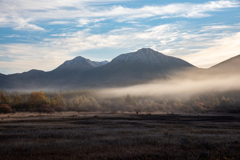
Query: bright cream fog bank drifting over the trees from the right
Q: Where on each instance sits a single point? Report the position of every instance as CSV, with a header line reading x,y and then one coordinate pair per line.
x,y
180,87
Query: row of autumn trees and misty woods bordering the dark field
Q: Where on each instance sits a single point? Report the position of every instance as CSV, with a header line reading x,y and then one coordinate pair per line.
x,y
84,101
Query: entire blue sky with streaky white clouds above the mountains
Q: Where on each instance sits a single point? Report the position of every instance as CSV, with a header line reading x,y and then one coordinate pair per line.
x,y
43,34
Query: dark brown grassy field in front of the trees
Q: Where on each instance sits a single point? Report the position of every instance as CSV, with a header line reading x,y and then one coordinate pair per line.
x,y
119,136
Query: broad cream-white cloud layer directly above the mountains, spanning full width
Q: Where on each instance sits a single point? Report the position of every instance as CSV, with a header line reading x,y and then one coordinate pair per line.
x,y
202,49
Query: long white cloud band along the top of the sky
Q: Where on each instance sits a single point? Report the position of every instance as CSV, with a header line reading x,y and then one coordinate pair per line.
x,y
22,14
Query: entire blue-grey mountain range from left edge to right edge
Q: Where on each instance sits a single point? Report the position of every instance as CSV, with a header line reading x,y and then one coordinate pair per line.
x,y
132,68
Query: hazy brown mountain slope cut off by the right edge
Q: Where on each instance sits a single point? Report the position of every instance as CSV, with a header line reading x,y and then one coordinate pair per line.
x,y
229,66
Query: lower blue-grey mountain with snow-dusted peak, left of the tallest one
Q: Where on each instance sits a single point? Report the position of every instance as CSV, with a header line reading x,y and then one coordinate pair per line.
x,y
37,79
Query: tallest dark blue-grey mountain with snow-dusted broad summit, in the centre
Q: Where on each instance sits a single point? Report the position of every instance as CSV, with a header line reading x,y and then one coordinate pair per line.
x,y
140,66
